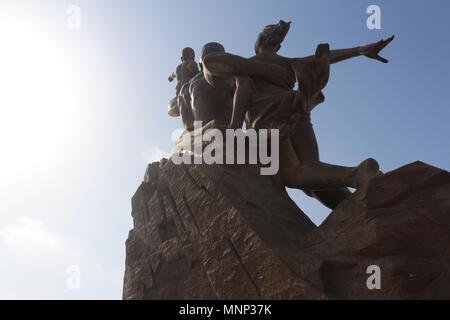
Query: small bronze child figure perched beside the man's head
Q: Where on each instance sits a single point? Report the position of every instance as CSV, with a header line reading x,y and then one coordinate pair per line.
x,y
185,71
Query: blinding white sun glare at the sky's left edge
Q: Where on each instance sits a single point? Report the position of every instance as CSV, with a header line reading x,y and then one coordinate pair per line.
x,y
39,99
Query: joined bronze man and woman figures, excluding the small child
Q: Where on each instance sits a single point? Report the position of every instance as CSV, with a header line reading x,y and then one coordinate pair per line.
x,y
260,90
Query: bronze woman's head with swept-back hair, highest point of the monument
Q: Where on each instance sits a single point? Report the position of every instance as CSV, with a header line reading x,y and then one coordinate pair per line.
x,y
271,37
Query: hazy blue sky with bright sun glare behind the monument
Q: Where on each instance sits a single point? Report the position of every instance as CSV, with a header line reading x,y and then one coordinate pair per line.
x,y
83,110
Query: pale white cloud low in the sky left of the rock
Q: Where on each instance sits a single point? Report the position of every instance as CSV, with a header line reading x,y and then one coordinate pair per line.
x,y
38,263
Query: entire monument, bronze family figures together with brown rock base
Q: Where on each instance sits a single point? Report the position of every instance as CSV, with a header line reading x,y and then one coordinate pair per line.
x,y
226,231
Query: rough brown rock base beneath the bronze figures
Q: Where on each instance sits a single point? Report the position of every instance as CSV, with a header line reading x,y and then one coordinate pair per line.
x,y
226,232
